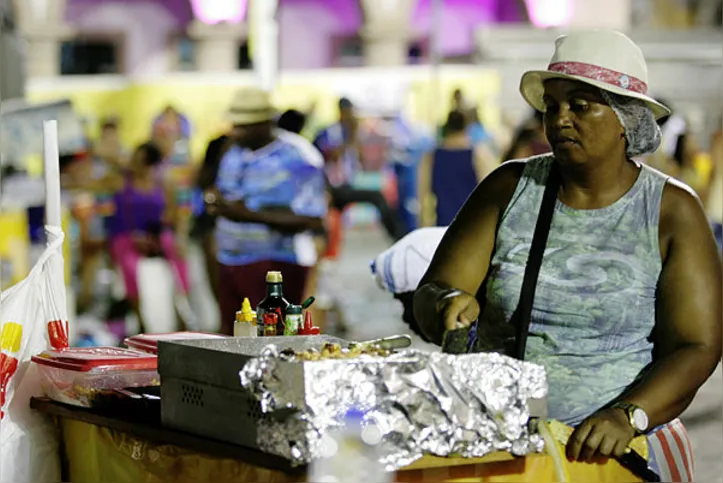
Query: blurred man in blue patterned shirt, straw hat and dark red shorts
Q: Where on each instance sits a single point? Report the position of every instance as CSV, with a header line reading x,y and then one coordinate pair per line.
x,y
269,198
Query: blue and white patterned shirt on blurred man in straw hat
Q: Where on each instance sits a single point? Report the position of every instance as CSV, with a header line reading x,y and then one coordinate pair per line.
x,y
287,175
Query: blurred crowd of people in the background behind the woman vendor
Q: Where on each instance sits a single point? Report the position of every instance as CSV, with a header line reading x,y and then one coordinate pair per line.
x,y
273,192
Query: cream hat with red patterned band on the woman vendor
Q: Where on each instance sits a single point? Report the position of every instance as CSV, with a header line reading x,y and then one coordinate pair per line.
x,y
605,59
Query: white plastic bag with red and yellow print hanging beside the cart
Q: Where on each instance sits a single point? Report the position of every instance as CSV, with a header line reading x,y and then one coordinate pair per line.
x,y
33,318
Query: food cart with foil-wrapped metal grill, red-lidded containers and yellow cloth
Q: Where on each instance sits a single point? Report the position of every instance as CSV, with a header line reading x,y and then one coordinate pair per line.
x,y
202,408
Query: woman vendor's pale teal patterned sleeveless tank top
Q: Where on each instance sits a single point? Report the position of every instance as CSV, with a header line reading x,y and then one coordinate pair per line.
x,y
594,309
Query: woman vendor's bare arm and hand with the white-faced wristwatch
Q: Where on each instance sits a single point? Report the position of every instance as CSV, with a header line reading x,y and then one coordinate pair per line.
x,y
687,330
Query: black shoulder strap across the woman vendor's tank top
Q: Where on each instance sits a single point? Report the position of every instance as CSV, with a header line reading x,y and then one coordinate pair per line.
x,y
523,313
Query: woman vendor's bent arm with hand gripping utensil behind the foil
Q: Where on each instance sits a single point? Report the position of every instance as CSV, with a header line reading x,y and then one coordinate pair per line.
x,y
463,256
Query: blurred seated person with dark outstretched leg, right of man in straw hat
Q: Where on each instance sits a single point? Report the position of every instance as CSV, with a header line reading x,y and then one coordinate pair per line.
x,y
340,145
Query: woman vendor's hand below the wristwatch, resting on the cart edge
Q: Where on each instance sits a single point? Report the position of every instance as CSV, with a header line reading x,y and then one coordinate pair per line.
x,y
604,434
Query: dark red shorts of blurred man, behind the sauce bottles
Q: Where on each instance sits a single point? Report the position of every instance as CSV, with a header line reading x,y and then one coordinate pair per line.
x,y
237,282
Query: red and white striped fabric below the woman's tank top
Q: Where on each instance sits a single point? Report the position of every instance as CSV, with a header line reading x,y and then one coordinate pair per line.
x,y
671,454
